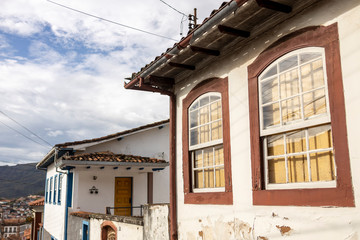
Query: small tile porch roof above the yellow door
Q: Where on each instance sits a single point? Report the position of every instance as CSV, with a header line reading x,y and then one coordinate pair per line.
x,y
112,157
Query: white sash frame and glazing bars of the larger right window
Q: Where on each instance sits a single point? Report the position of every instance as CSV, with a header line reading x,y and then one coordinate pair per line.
x,y
301,124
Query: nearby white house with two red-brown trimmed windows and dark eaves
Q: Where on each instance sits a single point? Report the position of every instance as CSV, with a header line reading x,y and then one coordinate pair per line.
x,y
264,121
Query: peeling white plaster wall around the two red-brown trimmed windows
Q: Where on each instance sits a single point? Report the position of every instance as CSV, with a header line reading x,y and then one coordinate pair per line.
x,y
243,220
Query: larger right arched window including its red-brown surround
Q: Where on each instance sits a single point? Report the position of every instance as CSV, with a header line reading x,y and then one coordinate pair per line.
x,y
298,126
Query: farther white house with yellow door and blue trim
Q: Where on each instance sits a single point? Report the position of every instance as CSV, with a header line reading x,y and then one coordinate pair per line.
x,y
90,181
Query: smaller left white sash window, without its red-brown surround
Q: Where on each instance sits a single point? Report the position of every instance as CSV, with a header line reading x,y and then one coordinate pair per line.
x,y
206,143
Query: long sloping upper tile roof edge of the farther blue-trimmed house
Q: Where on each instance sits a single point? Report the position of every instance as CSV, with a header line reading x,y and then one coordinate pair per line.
x,y
66,144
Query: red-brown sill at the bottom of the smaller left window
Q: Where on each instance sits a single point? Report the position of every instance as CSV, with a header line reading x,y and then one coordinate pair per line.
x,y
219,198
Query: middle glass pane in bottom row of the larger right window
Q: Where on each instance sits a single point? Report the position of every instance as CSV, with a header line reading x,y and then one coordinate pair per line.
x,y
298,169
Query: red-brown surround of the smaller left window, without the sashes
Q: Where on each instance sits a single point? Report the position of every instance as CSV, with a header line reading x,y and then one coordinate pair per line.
x,y
219,85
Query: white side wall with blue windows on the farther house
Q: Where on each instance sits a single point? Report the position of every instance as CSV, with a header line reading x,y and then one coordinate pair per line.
x,y
54,214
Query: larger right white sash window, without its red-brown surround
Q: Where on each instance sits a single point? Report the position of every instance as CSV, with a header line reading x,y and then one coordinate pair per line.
x,y
295,122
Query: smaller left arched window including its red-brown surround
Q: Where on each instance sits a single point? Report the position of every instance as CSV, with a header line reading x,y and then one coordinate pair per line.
x,y
206,144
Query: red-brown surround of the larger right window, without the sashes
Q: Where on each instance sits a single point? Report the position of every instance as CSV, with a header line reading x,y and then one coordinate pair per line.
x,y
342,195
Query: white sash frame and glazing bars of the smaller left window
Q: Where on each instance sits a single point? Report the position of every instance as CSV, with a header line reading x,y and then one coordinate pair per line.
x,y
202,146
